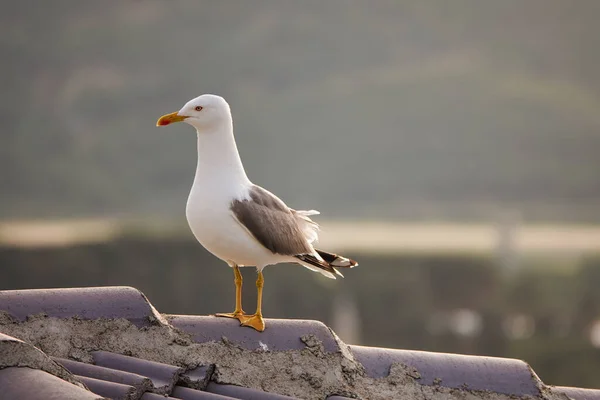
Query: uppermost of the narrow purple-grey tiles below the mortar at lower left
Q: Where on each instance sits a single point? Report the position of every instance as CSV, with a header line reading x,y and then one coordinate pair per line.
x,y
163,376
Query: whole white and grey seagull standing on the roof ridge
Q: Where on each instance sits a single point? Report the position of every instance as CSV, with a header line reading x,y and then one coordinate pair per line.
x,y
240,222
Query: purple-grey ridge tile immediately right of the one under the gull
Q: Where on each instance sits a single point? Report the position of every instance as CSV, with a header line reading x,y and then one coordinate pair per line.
x,y
502,375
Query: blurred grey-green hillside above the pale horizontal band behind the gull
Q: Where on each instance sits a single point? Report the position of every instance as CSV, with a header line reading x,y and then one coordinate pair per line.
x,y
361,109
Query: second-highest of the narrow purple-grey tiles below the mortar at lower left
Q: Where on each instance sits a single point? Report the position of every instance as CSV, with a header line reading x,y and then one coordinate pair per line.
x,y
139,382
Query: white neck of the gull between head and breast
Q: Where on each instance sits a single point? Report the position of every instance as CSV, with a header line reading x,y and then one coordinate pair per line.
x,y
219,163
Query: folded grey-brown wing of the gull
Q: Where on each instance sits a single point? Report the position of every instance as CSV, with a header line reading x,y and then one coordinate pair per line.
x,y
271,222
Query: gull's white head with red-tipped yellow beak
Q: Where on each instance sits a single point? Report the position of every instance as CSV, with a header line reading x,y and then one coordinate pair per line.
x,y
205,113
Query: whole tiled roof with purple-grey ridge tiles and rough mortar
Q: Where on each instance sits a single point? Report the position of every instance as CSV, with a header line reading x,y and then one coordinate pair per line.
x,y
110,342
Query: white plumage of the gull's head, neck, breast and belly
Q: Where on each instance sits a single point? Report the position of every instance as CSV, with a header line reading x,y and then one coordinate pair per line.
x,y
220,179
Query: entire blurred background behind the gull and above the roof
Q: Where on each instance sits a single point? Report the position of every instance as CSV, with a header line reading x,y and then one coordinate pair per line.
x,y
452,148
